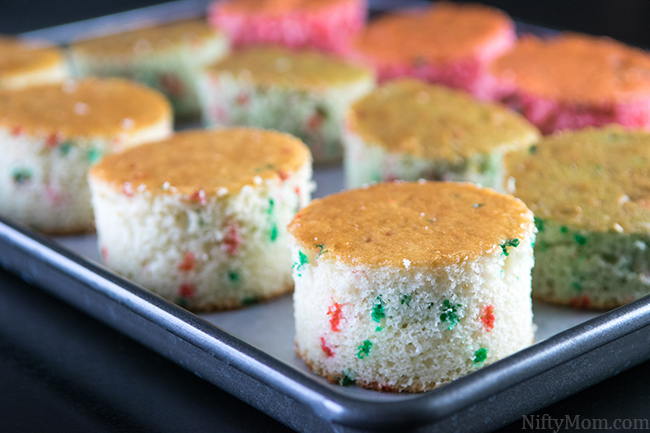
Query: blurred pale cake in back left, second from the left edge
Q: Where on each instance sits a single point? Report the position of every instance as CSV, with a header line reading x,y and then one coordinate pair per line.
x,y
167,58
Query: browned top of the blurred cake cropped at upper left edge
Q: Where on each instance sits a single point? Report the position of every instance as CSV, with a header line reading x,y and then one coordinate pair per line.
x,y
18,57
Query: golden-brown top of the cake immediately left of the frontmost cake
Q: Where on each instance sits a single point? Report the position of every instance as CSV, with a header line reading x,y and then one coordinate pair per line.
x,y
216,162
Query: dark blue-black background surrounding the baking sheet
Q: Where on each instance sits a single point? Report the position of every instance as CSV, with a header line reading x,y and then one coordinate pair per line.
x,y
61,371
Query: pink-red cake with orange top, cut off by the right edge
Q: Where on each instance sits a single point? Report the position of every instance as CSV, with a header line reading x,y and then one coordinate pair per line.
x,y
573,81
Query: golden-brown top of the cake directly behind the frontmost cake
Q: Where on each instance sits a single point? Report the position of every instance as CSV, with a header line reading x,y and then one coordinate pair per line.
x,y
430,121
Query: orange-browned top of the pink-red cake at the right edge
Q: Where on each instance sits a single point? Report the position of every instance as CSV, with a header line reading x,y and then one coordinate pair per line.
x,y
575,67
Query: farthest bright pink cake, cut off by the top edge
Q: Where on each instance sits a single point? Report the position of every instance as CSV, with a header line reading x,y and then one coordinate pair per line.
x,y
321,24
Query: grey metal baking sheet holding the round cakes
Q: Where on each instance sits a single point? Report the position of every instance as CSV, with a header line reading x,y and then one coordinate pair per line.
x,y
249,352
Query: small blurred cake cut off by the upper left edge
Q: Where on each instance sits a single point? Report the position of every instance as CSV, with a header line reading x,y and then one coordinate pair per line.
x,y
24,64
